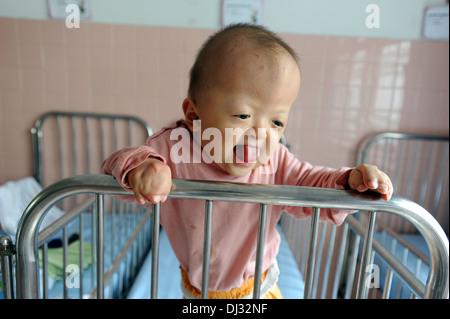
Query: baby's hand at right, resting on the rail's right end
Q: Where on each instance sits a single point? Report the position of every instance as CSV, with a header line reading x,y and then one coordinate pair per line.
x,y
369,177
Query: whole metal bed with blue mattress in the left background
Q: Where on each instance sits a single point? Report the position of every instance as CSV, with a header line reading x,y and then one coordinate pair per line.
x,y
74,143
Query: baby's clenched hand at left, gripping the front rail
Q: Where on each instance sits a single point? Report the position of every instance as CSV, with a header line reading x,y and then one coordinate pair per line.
x,y
151,181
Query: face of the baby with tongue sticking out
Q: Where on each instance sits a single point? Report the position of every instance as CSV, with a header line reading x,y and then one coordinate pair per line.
x,y
248,102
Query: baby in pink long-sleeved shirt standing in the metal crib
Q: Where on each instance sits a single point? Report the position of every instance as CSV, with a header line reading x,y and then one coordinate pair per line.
x,y
242,86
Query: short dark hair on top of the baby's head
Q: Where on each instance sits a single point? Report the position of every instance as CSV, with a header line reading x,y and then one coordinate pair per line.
x,y
211,49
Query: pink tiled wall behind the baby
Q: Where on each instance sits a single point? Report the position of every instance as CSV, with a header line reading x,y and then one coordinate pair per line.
x,y
351,87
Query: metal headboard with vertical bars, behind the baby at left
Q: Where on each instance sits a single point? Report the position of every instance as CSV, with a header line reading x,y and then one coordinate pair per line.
x,y
76,143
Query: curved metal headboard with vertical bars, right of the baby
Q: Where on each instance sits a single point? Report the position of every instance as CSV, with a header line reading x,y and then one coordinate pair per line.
x,y
418,167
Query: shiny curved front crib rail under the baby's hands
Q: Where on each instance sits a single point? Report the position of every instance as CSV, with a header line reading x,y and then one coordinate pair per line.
x,y
26,239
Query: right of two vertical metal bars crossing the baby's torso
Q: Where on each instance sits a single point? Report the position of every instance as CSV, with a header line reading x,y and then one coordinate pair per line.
x,y
260,251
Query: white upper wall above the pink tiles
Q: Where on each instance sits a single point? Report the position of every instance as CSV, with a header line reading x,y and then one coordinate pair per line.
x,y
399,19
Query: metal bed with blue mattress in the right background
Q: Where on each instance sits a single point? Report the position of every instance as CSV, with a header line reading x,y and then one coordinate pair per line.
x,y
418,165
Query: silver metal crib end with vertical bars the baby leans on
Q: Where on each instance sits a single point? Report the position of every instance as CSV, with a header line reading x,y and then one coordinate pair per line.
x,y
27,264
